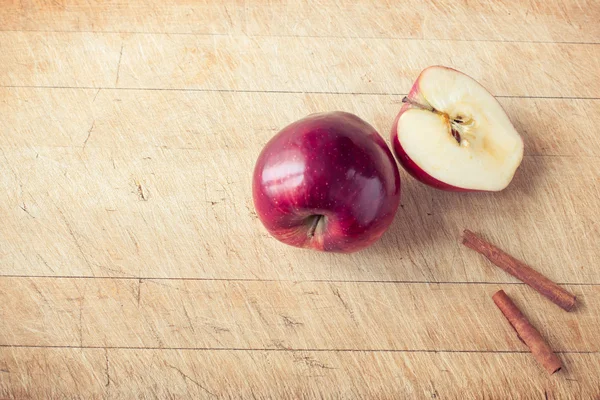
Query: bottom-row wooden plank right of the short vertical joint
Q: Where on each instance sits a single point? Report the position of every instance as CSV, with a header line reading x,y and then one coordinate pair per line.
x,y
347,375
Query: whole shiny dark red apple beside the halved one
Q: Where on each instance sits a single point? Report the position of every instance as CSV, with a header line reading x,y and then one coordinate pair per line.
x,y
330,164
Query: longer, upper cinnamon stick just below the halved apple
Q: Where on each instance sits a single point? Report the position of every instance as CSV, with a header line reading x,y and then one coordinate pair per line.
x,y
520,270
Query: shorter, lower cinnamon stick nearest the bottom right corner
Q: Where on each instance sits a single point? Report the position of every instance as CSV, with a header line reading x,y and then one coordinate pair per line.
x,y
528,334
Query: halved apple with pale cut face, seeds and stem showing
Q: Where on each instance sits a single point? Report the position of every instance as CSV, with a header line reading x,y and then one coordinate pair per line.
x,y
452,134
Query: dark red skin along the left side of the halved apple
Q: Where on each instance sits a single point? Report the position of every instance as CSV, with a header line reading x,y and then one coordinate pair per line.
x,y
407,163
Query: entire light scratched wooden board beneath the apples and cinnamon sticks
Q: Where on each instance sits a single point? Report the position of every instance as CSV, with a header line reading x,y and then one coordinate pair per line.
x,y
132,264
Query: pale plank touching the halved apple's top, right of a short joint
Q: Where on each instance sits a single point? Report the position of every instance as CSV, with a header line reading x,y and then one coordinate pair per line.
x,y
360,65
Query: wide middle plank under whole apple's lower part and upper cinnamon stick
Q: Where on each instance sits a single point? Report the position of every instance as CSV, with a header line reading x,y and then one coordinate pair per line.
x,y
70,212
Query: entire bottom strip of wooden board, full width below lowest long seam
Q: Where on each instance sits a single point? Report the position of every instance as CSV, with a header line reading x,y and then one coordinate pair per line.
x,y
180,374
